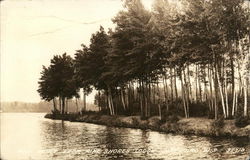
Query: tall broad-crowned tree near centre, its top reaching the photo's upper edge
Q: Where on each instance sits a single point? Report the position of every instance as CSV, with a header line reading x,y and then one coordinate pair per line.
x,y
135,50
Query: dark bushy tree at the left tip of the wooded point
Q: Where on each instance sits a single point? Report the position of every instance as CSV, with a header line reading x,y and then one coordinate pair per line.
x,y
57,80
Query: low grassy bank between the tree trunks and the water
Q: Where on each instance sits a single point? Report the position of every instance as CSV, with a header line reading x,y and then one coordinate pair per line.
x,y
190,126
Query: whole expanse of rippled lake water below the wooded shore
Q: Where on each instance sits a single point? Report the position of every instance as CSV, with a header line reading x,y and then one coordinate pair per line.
x,y
30,136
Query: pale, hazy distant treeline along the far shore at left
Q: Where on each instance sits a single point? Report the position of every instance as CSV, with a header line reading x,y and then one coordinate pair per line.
x,y
38,107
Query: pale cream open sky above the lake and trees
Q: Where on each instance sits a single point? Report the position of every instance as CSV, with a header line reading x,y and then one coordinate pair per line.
x,y
32,31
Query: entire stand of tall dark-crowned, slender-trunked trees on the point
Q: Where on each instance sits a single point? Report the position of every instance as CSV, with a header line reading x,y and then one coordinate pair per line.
x,y
186,57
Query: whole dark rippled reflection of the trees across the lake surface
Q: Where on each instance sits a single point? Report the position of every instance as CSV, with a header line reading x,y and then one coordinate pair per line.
x,y
64,138
